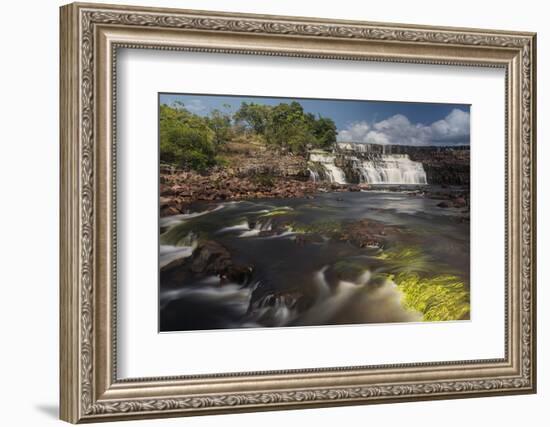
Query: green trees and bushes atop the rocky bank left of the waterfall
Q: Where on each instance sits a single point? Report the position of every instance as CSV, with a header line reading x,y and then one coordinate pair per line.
x,y
197,142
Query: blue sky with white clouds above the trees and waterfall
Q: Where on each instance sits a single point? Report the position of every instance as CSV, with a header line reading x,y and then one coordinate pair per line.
x,y
377,122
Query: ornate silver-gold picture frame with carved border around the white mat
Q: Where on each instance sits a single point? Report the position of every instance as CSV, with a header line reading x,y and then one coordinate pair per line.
x,y
90,37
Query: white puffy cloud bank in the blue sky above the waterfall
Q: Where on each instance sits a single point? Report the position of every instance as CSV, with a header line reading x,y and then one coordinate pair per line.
x,y
398,129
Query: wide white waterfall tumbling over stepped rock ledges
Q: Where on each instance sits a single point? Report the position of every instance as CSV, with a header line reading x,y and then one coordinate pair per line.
x,y
365,163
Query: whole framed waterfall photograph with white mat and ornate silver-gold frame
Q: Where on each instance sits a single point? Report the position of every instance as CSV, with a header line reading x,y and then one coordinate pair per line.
x,y
266,212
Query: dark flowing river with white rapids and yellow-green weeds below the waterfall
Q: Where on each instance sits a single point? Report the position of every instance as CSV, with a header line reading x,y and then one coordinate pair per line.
x,y
303,266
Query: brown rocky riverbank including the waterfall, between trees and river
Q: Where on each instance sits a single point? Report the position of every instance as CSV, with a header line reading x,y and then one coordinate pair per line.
x,y
250,171
